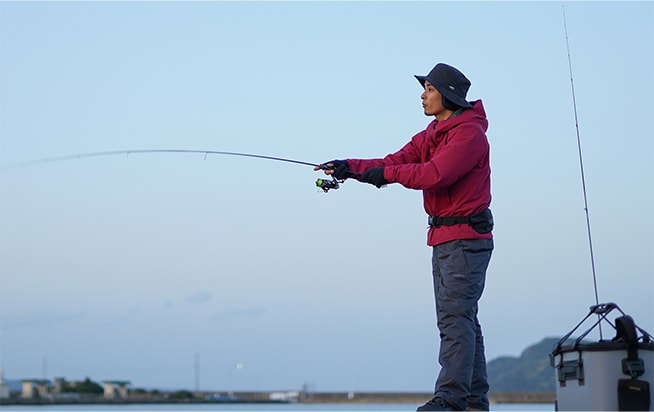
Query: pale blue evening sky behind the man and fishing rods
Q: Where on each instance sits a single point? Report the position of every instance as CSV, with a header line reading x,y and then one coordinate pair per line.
x,y
223,273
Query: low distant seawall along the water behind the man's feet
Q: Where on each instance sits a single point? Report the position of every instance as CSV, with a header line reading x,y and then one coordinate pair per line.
x,y
263,398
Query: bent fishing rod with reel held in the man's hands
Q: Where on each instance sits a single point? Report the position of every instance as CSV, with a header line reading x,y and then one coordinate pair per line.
x,y
324,184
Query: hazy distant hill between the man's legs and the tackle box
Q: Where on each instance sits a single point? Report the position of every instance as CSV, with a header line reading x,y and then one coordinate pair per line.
x,y
530,372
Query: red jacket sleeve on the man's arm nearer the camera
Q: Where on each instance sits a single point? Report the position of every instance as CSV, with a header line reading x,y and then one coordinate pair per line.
x,y
455,158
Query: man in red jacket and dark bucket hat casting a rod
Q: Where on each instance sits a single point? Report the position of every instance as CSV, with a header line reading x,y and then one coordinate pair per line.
x,y
449,162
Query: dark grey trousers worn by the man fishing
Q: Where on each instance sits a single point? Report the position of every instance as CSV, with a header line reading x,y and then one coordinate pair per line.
x,y
459,269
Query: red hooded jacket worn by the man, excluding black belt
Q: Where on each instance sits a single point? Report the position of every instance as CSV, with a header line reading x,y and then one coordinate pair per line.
x,y
450,162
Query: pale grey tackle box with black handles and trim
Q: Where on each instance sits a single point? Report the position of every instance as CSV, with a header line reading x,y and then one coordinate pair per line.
x,y
611,375
